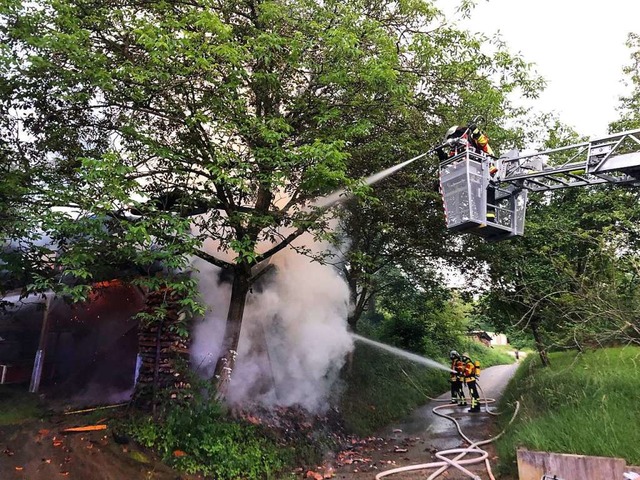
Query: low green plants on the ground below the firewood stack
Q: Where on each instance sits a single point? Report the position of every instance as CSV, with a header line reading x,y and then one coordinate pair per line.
x,y
213,445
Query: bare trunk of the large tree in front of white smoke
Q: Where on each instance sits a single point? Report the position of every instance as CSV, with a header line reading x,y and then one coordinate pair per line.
x,y
227,360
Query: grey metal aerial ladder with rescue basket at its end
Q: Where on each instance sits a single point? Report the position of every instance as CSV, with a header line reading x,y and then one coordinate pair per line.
x,y
494,207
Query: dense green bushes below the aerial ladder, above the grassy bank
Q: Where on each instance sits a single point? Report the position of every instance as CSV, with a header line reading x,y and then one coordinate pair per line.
x,y
572,279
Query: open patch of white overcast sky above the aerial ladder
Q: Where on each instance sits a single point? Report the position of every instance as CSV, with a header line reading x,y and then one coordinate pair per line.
x,y
578,47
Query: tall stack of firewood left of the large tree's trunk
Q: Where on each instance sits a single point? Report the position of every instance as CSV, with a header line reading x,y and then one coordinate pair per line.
x,y
163,352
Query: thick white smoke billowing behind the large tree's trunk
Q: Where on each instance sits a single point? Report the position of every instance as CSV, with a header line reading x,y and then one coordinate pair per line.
x,y
294,334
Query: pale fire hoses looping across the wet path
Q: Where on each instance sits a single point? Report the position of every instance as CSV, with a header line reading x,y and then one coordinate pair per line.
x,y
458,461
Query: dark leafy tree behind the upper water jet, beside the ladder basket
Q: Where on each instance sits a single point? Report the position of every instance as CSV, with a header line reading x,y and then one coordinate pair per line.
x,y
402,224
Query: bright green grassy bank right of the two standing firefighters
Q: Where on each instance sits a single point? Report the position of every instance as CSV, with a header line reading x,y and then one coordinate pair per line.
x,y
583,404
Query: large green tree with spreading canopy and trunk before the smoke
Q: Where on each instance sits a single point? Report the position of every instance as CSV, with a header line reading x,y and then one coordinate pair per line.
x,y
175,124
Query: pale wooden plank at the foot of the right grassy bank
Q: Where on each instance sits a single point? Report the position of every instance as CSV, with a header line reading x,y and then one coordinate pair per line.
x,y
533,465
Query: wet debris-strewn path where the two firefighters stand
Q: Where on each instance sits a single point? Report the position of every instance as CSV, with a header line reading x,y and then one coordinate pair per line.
x,y
415,439
